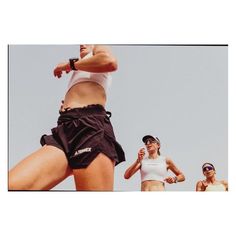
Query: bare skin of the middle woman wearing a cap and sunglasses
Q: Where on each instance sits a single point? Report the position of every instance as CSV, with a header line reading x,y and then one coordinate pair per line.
x,y
153,185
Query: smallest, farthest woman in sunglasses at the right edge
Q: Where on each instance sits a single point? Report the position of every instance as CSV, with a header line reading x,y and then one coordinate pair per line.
x,y
210,183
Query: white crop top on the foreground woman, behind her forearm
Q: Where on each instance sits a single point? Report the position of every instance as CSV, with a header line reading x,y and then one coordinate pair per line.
x,y
103,79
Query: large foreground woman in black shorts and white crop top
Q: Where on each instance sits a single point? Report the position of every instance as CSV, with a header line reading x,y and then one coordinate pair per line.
x,y
83,142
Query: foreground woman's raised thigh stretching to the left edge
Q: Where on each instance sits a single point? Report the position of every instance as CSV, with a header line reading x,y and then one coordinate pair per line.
x,y
42,170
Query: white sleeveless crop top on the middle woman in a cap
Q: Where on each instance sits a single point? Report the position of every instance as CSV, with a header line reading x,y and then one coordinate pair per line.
x,y
153,169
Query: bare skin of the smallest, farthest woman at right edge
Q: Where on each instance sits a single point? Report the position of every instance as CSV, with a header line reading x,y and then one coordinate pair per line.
x,y
210,180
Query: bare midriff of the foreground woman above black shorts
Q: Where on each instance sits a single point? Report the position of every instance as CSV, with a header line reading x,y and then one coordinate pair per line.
x,y
84,94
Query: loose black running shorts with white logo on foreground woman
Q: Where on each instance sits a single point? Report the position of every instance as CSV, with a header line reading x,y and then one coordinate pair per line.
x,y
83,133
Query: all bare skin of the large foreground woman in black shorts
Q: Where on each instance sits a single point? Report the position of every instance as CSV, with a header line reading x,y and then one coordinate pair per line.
x,y
45,168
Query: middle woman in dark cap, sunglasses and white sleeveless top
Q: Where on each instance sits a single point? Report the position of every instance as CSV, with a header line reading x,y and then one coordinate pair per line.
x,y
154,167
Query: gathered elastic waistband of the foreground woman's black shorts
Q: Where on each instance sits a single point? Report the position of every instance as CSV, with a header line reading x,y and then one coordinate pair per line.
x,y
75,113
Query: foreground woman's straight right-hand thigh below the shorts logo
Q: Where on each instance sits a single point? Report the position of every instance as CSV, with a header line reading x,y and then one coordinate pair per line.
x,y
98,176
